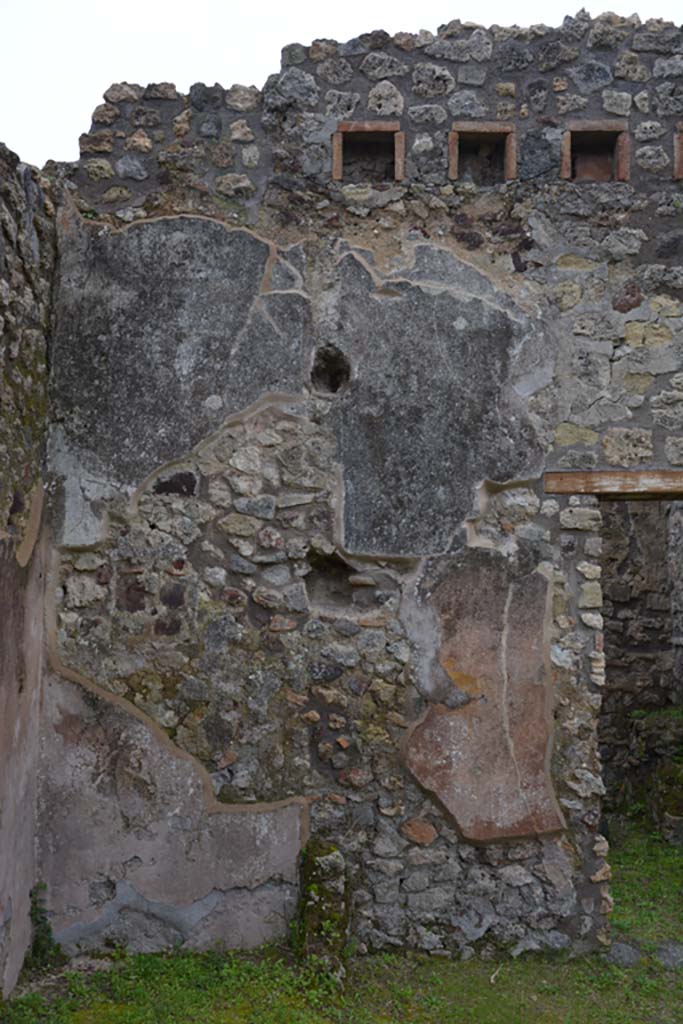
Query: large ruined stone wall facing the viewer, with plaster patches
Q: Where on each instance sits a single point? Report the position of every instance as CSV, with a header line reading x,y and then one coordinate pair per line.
x,y
306,578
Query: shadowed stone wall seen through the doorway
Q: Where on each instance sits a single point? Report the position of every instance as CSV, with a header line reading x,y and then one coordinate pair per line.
x,y
642,727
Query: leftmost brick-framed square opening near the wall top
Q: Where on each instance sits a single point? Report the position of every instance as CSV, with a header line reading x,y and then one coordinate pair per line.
x,y
368,152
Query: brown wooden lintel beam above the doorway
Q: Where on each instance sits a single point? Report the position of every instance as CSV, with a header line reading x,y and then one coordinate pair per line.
x,y
620,483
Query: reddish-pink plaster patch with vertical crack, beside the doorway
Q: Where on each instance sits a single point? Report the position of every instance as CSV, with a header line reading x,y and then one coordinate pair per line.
x,y
488,761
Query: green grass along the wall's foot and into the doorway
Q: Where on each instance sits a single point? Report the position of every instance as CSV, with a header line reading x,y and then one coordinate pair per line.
x,y
267,989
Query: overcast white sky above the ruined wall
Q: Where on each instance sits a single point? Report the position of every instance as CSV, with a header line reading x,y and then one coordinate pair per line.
x,y
58,57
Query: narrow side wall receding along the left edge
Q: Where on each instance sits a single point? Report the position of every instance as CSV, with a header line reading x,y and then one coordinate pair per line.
x,y
26,265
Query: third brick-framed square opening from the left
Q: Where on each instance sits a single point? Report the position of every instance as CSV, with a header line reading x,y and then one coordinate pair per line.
x,y
595,152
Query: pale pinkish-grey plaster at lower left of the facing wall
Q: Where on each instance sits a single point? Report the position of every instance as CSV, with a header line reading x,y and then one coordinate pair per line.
x,y
133,854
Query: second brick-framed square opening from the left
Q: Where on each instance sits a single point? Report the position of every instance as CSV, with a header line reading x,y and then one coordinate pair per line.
x,y
483,153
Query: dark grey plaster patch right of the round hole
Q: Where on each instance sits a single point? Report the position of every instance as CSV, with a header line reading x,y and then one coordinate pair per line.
x,y
411,420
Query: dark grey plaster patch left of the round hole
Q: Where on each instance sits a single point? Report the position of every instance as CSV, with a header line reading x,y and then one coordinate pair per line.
x,y
153,321
